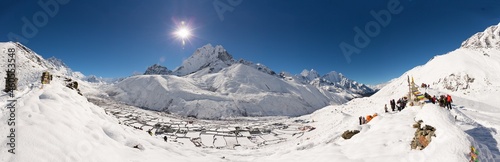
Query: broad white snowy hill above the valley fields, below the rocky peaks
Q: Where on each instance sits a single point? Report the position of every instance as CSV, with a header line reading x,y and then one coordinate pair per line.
x,y
238,90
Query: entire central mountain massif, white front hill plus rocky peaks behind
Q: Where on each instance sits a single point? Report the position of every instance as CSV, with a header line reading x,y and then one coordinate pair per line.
x,y
210,84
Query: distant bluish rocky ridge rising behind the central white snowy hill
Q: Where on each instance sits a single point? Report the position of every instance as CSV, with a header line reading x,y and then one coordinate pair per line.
x,y
214,59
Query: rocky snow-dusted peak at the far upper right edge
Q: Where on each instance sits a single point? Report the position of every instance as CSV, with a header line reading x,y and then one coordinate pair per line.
x,y
490,38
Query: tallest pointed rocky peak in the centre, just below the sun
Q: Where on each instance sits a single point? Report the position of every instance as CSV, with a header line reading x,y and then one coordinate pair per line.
x,y
207,56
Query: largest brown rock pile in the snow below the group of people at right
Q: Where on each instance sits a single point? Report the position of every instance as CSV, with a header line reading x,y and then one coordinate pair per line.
x,y
423,135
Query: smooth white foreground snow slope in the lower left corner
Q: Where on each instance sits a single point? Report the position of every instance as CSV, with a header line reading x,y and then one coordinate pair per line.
x,y
57,124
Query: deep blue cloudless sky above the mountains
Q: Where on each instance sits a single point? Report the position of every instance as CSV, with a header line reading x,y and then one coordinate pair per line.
x,y
118,38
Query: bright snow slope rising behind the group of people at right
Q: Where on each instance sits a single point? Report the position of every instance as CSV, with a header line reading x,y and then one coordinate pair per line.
x,y
470,75
